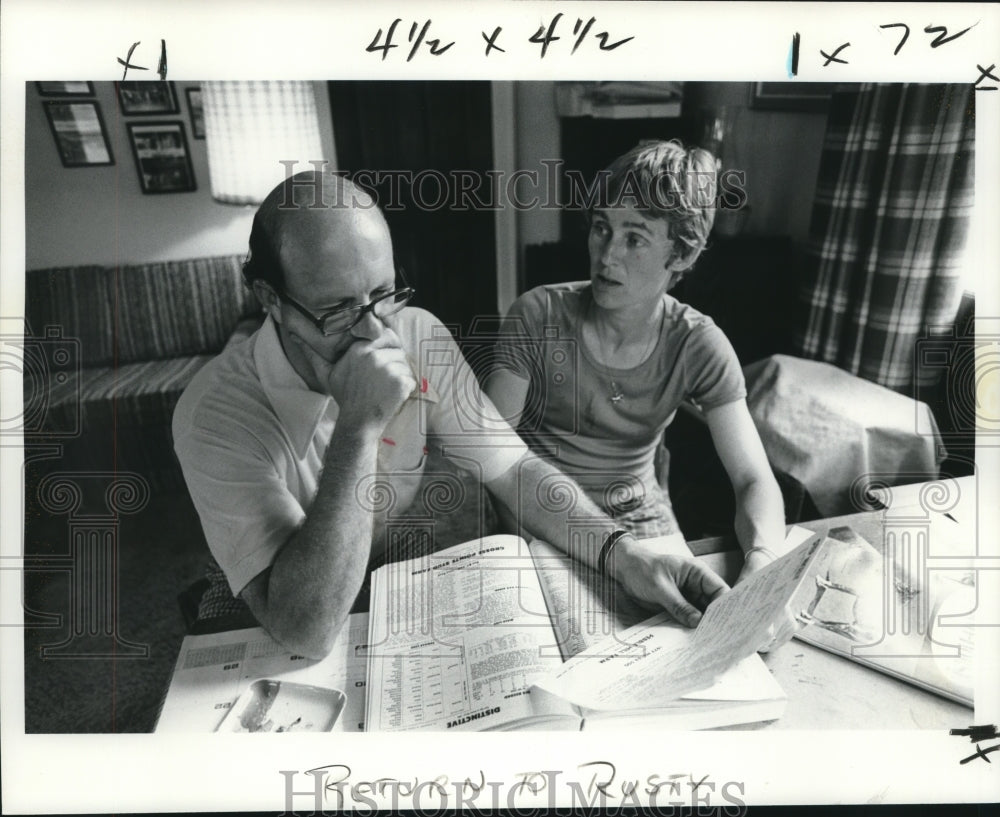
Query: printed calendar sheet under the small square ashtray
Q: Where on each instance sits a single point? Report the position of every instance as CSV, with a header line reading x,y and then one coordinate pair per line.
x,y
213,670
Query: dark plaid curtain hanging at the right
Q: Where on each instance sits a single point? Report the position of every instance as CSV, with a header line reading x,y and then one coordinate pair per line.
x,y
888,228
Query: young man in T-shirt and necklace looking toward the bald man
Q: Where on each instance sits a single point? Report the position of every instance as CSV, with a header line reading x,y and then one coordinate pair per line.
x,y
602,365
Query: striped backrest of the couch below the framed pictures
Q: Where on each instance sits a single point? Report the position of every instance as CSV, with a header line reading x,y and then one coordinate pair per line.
x,y
142,312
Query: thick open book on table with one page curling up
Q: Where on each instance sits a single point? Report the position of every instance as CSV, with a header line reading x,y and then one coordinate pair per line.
x,y
498,634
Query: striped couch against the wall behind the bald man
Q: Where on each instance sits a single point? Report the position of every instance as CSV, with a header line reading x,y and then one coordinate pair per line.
x,y
144,331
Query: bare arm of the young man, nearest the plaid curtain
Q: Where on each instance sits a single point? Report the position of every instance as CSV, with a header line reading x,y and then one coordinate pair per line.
x,y
760,513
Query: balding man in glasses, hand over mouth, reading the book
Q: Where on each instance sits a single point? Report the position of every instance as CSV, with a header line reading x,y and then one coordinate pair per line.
x,y
280,434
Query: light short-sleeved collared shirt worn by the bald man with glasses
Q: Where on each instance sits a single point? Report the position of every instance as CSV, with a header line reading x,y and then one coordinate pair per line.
x,y
251,438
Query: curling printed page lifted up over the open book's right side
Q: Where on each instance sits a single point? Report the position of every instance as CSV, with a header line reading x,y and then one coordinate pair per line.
x,y
658,661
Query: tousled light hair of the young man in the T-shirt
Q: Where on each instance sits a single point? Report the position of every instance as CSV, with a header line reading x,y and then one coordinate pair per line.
x,y
665,180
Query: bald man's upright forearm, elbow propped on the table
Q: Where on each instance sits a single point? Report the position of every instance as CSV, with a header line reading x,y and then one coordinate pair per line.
x,y
317,574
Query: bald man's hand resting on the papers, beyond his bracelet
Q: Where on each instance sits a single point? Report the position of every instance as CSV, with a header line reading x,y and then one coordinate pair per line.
x,y
680,585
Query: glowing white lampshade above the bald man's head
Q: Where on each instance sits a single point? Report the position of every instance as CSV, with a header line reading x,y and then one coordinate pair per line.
x,y
250,127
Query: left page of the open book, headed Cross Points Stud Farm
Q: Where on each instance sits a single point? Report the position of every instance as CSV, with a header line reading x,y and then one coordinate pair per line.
x,y
457,638
